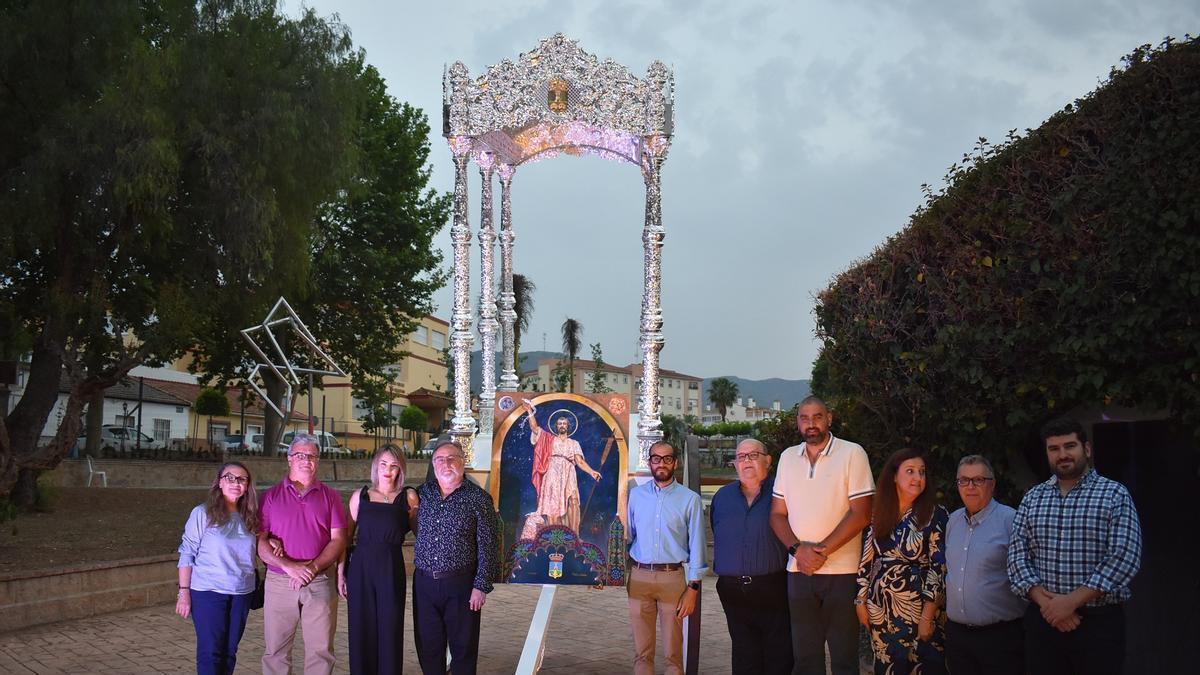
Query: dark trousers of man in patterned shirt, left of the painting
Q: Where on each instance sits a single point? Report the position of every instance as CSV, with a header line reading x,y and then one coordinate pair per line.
x,y
442,617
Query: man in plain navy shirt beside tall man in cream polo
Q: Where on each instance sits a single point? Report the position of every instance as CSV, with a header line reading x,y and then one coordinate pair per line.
x,y
752,568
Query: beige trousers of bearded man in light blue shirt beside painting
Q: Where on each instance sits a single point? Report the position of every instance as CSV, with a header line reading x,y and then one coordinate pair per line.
x,y
656,594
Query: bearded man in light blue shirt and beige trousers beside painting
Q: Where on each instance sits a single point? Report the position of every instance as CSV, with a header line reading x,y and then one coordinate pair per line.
x,y
667,560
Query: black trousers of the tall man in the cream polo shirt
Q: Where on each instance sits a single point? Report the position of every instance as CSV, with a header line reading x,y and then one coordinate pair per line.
x,y
823,611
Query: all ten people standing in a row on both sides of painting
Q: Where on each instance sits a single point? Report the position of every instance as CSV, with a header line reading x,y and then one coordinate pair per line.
x,y
802,559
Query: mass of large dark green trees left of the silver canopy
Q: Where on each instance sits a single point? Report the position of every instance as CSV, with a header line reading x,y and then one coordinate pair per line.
x,y
203,162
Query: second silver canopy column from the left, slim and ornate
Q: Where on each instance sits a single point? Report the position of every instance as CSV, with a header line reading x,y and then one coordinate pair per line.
x,y
488,324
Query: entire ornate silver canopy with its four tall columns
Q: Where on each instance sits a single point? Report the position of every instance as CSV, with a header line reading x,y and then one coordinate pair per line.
x,y
555,99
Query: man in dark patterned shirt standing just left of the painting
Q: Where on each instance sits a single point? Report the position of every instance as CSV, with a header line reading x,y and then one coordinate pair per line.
x,y
455,563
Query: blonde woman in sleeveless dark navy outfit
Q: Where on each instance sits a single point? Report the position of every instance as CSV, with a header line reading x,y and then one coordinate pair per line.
x,y
373,581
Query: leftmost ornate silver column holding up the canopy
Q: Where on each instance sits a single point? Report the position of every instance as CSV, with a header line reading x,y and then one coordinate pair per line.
x,y
463,426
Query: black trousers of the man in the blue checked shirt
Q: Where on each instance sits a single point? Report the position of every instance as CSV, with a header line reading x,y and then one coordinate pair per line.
x,y
1095,648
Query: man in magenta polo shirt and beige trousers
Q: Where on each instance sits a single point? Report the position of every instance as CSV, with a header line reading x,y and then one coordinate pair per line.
x,y
309,521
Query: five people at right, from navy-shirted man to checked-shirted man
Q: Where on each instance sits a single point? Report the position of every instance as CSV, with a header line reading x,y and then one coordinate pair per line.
x,y
985,590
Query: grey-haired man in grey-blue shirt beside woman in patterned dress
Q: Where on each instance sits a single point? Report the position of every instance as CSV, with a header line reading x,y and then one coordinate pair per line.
x,y
985,635
